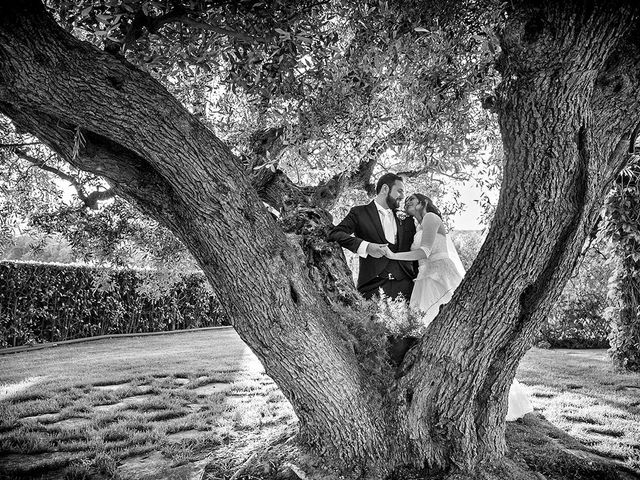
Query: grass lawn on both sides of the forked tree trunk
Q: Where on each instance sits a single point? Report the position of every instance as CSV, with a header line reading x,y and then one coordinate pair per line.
x,y
86,410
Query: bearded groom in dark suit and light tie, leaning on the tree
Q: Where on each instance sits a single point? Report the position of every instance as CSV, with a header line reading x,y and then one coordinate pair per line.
x,y
367,229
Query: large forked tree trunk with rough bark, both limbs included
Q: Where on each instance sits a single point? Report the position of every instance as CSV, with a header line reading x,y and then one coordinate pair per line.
x,y
290,296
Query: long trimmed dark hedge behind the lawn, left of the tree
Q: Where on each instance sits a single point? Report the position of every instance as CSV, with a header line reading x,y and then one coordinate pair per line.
x,y
50,302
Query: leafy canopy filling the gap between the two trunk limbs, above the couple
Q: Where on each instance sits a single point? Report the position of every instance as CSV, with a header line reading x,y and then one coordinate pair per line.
x,y
346,73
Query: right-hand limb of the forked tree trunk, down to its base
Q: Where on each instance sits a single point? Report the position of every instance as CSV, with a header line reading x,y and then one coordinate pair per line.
x,y
561,155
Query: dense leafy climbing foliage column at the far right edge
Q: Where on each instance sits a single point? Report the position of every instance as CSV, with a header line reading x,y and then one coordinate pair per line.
x,y
622,224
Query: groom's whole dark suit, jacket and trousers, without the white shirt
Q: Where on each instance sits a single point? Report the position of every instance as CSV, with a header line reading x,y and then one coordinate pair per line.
x,y
393,276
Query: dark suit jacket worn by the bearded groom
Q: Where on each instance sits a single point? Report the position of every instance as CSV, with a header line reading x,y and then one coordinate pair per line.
x,y
363,223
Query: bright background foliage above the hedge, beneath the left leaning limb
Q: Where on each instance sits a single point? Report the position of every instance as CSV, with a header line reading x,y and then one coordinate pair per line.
x,y
43,199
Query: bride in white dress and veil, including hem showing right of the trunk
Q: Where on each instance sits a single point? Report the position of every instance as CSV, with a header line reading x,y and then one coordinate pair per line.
x,y
440,271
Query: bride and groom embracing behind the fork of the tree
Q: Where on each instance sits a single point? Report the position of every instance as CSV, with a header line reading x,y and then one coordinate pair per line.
x,y
408,254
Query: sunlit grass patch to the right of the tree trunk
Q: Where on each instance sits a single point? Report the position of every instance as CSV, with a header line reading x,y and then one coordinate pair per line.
x,y
580,392
